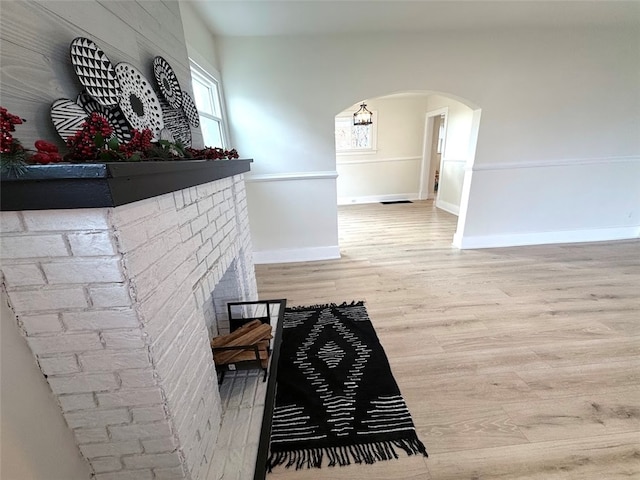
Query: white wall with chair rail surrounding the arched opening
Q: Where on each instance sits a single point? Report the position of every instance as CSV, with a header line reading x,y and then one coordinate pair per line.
x,y
567,96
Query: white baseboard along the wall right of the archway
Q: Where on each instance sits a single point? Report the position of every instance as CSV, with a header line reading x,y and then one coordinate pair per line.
x,y
546,238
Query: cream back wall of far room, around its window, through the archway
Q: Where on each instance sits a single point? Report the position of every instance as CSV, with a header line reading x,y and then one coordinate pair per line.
x,y
392,171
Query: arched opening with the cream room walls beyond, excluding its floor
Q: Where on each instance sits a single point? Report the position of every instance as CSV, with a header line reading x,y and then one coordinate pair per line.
x,y
395,165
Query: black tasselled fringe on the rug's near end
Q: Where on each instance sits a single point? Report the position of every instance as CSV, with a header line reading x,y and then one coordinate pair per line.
x,y
368,453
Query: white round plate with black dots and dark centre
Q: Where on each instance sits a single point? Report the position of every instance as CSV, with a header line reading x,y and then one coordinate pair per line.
x,y
139,102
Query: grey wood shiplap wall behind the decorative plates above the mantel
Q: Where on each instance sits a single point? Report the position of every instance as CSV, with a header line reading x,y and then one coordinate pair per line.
x,y
35,65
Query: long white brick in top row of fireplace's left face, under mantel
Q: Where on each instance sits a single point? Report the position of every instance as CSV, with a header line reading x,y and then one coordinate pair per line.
x,y
74,219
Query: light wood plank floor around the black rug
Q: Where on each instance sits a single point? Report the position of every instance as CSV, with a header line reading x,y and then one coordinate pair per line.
x,y
516,363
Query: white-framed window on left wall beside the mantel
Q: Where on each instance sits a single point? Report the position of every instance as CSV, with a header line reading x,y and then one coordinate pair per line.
x,y
206,92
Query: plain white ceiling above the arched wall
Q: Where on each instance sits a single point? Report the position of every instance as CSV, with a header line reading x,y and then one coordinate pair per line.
x,y
309,17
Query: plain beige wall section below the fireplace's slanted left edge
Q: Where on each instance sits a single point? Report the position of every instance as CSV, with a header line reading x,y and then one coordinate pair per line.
x,y
36,442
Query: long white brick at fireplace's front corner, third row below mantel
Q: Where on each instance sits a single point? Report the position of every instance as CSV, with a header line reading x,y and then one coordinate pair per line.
x,y
102,270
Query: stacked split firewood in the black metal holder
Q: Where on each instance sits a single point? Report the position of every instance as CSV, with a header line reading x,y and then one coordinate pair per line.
x,y
250,342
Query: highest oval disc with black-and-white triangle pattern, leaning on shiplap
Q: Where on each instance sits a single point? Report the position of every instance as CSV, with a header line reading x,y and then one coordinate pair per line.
x,y
95,71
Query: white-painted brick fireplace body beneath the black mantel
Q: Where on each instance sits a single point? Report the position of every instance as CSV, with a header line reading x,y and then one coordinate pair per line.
x,y
118,305
